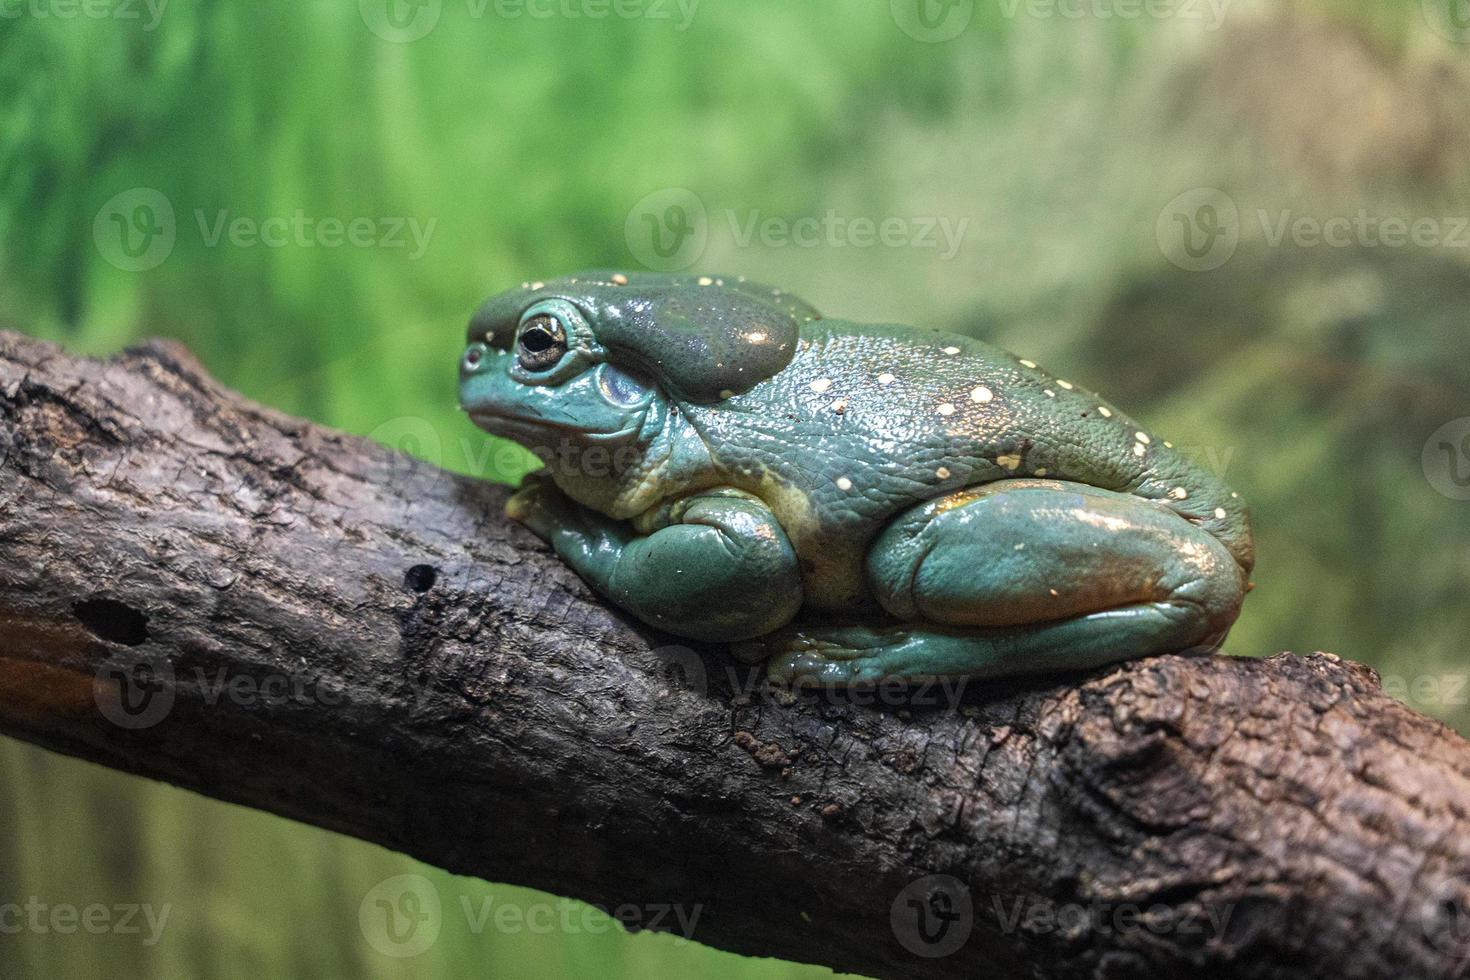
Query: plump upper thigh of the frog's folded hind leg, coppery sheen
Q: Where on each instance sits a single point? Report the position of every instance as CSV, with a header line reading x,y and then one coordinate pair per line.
x,y
1034,552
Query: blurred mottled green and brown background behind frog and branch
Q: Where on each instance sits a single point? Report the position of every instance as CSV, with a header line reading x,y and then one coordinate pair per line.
x,y
1131,196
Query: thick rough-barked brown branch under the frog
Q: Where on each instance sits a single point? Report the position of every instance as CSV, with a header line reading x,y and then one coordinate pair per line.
x,y
430,678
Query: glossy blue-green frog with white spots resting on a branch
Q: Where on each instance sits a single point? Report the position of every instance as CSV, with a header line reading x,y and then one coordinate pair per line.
x,y
850,503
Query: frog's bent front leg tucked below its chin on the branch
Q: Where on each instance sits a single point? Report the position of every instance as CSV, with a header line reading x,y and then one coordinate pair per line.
x,y
721,568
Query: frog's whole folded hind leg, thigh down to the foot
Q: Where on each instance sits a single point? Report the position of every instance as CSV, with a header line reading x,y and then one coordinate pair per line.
x,y
1024,577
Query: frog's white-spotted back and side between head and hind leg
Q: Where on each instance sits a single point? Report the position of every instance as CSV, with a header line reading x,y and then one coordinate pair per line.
x,y
867,421
